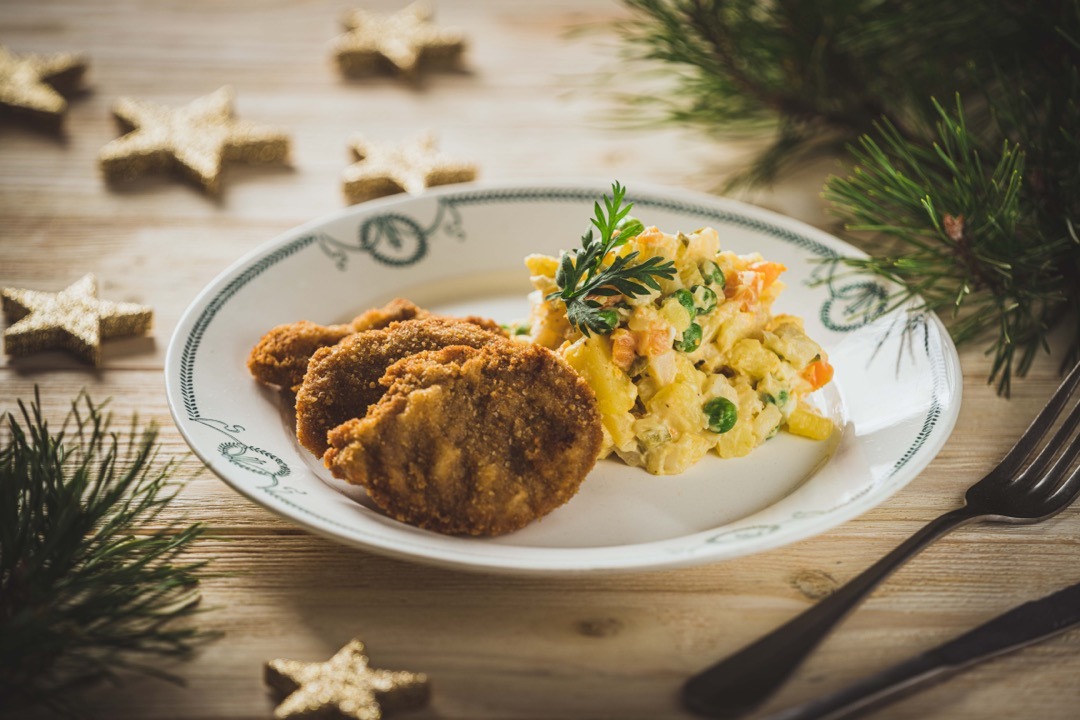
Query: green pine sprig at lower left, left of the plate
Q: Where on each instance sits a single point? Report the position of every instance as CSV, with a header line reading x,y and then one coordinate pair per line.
x,y
92,579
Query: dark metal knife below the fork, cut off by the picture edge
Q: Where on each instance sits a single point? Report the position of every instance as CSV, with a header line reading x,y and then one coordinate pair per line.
x,y
1020,628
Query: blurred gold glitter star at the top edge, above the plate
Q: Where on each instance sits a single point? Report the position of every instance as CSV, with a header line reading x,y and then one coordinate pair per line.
x,y
404,43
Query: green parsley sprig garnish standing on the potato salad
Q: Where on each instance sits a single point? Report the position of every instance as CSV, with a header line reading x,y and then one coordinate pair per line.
x,y
584,280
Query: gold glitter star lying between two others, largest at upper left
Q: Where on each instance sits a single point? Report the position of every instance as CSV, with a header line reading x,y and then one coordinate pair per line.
x,y
195,141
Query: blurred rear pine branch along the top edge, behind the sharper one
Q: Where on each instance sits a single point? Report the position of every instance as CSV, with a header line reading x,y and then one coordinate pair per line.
x,y
819,74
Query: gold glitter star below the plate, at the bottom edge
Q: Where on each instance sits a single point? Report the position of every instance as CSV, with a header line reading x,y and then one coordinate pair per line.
x,y
344,687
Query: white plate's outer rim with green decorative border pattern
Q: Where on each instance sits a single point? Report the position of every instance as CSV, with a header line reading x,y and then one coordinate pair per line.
x,y
389,234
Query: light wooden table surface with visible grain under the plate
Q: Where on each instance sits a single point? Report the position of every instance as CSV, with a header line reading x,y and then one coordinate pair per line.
x,y
531,108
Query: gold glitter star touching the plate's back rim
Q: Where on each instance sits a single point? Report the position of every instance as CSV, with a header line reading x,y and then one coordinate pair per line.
x,y
385,170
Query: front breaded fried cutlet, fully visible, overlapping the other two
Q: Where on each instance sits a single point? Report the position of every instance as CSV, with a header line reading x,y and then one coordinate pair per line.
x,y
471,441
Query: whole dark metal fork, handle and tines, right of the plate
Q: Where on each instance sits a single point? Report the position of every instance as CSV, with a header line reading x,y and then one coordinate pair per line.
x,y
1036,481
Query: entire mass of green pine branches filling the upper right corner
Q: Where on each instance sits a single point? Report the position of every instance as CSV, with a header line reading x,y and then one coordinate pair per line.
x,y
981,203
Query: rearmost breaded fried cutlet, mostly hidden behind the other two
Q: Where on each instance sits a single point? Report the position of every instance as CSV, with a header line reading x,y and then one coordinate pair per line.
x,y
281,357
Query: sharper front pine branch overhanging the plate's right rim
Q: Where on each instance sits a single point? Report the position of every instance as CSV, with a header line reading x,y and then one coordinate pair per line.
x,y
967,244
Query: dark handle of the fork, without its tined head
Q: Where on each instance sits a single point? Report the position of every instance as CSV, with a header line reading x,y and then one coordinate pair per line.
x,y
739,684
